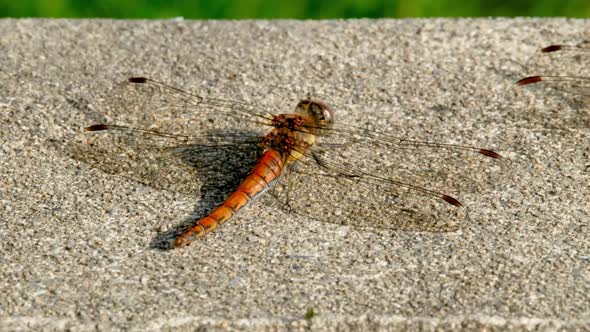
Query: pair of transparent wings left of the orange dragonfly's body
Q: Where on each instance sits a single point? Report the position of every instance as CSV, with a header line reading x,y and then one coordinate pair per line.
x,y
213,138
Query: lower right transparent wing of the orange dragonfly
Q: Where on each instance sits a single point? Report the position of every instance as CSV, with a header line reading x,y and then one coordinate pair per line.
x,y
359,202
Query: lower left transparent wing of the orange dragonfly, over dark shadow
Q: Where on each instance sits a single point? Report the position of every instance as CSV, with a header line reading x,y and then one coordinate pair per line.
x,y
172,163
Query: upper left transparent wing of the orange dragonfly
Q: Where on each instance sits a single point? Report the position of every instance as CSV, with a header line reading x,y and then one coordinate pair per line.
x,y
158,106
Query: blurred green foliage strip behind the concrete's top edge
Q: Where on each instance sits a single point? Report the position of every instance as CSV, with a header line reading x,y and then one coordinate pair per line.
x,y
318,9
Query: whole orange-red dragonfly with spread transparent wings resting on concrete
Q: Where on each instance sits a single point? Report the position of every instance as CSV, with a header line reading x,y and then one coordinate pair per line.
x,y
307,160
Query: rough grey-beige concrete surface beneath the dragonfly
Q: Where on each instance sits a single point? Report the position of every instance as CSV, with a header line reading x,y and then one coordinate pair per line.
x,y
76,241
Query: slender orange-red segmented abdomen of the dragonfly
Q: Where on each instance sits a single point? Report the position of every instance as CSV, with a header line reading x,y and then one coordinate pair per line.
x,y
268,168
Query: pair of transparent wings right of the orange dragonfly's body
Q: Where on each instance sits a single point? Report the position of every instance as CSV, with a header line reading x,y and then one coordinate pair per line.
x,y
374,182
